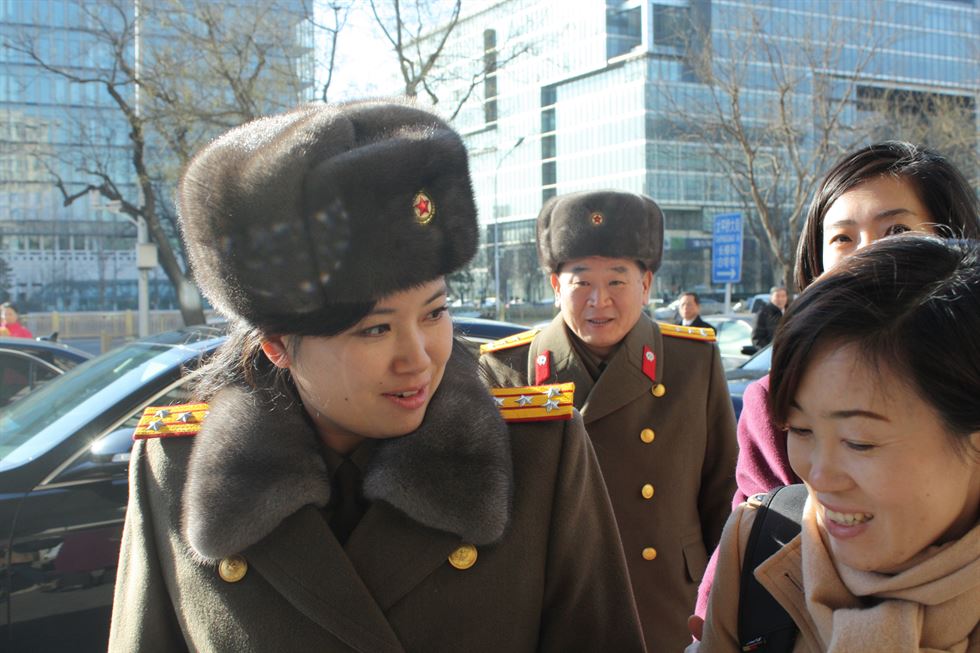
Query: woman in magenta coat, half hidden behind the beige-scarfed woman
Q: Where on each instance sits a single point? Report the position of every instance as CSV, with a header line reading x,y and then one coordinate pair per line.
x,y
877,191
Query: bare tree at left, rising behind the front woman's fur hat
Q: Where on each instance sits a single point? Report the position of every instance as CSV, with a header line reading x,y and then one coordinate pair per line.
x,y
179,73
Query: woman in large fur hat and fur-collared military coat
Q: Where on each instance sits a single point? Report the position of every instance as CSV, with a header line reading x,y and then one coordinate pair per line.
x,y
354,486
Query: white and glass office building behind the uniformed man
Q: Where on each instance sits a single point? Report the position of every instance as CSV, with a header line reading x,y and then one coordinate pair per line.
x,y
585,94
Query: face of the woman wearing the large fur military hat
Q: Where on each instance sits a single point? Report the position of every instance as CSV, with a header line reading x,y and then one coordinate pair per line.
x,y
376,379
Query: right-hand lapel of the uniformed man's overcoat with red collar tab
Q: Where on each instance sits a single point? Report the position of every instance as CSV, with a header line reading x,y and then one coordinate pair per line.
x,y
623,380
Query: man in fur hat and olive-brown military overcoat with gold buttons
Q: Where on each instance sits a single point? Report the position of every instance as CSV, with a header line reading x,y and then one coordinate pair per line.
x,y
653,396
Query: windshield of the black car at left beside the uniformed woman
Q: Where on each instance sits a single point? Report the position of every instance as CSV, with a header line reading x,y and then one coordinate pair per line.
x,y
41,420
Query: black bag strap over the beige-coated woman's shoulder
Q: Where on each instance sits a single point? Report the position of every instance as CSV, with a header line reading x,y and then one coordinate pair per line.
x,y
763,624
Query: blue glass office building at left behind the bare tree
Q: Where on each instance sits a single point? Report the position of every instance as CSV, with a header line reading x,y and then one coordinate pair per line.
x,y
82,256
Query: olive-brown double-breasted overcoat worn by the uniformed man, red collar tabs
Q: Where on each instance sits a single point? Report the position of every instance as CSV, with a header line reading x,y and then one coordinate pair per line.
x,y
668,461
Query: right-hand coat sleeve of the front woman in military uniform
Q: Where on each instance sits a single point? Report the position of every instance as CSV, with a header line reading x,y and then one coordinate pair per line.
x,y
588,603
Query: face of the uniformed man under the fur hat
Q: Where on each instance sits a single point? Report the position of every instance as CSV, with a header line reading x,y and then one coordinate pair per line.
x,y
601,299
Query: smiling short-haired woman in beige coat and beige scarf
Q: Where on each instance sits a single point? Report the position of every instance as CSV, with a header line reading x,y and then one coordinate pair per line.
x,y
875,376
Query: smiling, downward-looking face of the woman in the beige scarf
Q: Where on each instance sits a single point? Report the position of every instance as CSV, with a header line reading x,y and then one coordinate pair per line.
x,y
886,479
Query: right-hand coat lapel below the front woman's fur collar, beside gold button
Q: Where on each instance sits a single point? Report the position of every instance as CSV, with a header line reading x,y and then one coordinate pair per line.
x,y
393,554
